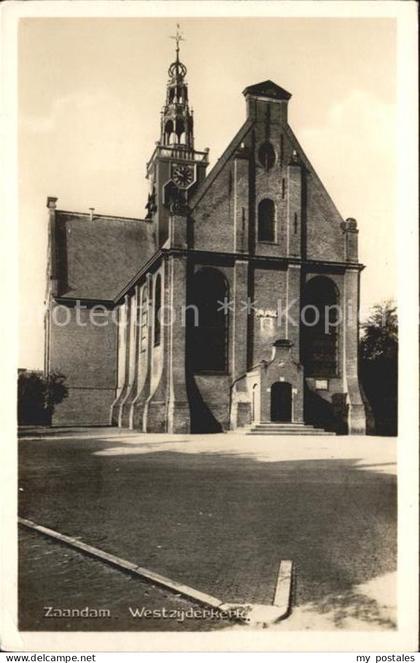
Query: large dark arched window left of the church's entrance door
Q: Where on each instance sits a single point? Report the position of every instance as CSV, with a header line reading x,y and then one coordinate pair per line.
x,y
208,325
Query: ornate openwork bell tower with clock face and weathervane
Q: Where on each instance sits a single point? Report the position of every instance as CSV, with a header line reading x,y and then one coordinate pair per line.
x,y
175,169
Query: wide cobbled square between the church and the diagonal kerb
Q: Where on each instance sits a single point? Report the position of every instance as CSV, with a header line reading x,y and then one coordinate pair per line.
x,y
220,512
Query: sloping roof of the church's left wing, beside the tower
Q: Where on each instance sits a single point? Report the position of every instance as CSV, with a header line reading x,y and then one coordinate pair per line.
x,y
96,258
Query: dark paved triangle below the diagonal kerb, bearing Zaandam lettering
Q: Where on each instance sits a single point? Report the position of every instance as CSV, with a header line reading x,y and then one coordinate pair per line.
x,y
53,575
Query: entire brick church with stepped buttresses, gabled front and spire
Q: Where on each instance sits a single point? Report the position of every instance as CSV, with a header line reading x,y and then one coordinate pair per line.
x,y
232,305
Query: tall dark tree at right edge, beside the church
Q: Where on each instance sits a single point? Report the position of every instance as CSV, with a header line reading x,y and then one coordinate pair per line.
x,y
379,366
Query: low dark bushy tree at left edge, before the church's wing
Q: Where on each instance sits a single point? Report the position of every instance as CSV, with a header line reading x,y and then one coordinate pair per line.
x,y
38,395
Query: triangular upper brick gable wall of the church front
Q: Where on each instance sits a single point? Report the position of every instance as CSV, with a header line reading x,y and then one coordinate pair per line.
x,y
318,220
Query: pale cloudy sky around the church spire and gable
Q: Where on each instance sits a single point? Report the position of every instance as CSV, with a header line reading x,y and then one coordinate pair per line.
x,y
90,92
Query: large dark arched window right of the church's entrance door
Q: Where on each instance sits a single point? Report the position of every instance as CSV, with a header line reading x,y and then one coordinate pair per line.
x,y
319,329
